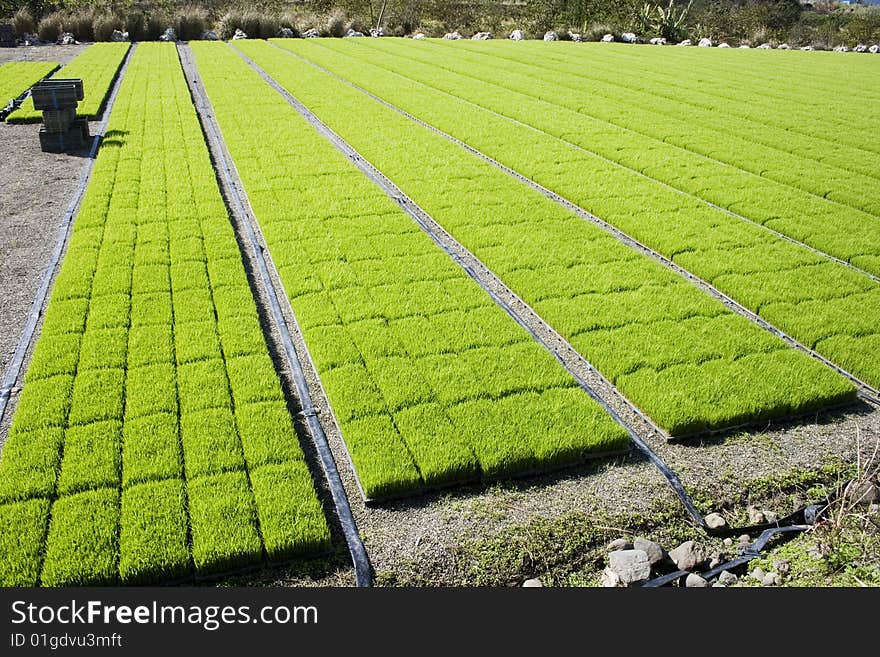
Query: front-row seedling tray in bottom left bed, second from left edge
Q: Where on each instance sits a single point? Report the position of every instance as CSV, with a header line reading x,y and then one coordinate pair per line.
x,y
82,547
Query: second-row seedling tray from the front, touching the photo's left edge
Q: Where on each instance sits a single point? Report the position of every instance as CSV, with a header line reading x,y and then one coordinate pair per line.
x,y
29,463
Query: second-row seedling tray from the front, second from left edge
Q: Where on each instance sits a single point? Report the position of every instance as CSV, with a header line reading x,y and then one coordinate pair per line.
x,y
92,457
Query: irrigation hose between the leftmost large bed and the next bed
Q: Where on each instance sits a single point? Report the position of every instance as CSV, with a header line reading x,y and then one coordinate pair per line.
x,y
225,167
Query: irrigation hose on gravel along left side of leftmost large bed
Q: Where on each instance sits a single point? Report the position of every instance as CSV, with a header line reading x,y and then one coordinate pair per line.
x,y
13,370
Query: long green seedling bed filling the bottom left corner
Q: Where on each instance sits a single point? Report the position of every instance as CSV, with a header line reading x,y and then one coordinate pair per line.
x,y
124,433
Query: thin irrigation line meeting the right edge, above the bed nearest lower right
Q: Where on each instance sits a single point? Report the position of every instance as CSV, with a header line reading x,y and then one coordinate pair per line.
x,y
866,391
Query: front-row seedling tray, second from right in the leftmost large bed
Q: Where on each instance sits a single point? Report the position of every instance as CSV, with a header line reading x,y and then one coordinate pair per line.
x,y
223,522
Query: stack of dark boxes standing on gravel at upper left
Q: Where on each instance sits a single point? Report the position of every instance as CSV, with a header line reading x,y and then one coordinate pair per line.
x,y
57,100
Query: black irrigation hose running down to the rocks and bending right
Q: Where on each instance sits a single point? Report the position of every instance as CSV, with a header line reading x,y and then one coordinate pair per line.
x,y
798,521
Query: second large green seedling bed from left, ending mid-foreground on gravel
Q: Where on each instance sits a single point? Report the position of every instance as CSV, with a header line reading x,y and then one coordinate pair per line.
x,y
364,283
